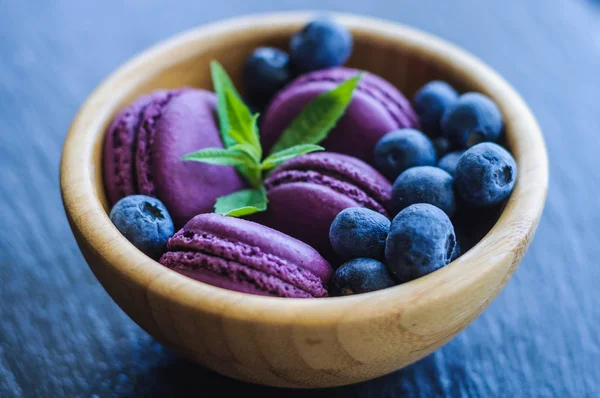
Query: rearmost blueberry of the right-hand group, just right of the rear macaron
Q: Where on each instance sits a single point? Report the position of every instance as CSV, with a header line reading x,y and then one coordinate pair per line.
x,y
430,102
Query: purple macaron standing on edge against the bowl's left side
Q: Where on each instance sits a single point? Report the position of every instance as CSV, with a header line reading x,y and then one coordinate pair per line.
x,y
146,141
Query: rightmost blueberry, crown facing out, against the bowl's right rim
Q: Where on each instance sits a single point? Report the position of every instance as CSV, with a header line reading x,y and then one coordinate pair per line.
x,y
485,175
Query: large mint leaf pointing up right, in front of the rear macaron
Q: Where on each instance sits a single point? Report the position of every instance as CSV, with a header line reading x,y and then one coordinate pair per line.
x,y
314,122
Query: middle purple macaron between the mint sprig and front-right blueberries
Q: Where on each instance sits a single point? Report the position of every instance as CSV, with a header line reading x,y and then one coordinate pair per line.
x,y
307,192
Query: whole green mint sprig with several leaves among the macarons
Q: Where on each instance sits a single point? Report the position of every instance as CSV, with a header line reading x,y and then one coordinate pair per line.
x,y
241,139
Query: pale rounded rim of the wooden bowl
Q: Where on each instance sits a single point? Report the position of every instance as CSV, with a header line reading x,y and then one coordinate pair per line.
x,y
515,228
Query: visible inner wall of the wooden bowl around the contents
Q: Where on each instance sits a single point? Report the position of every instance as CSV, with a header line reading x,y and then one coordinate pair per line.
x,y
405,64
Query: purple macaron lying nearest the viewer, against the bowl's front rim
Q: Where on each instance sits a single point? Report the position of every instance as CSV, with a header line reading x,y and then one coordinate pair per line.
x,y
244,256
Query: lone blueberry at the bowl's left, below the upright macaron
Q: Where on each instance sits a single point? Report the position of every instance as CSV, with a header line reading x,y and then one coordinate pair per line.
x,y
145,222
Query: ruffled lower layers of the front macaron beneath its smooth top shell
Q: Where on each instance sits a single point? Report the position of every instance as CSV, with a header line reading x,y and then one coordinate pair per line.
x,y
237,261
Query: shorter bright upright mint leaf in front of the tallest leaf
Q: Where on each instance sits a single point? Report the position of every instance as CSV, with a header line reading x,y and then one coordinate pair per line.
x,y
242,121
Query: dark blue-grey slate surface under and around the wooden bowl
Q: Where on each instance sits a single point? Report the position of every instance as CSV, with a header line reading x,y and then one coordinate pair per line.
x,y
62,336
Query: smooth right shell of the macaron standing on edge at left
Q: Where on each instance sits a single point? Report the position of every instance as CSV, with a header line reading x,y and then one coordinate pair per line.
x,y
187,123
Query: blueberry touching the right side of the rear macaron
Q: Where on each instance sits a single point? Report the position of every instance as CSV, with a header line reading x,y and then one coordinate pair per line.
x,y
400,149
